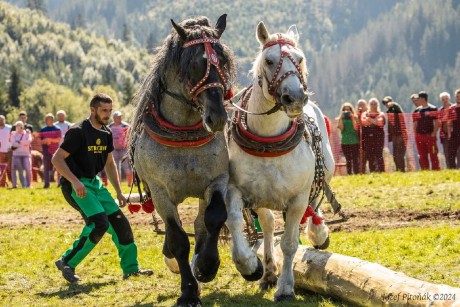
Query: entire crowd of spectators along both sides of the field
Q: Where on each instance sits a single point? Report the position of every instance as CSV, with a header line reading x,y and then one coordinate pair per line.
x,y
25,154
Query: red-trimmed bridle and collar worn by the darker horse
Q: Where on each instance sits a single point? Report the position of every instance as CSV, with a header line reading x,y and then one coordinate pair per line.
x,y
168,134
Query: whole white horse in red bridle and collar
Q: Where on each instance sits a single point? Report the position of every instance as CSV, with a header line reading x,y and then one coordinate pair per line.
x,y
272,160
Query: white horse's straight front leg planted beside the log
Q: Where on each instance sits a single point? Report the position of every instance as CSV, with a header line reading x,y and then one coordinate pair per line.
x,y
289,245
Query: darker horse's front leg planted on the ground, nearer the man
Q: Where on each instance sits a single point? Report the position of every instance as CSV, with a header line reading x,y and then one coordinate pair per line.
x,y
177,245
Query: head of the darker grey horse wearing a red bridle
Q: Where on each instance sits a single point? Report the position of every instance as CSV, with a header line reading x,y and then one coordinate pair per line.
x,y
206,68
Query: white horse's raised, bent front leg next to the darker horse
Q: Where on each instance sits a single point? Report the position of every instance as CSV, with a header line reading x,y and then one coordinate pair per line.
x,y
246,261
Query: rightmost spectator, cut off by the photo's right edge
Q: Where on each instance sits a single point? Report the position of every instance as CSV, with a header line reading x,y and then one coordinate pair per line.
x,y
454,127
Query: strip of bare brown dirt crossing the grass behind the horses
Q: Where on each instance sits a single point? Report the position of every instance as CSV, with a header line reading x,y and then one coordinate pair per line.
x,y
357,220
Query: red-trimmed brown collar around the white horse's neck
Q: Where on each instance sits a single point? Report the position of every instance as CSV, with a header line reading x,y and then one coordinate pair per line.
x,y
264,146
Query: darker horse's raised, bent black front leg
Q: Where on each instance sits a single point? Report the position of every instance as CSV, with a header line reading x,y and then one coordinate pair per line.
x,y
211,218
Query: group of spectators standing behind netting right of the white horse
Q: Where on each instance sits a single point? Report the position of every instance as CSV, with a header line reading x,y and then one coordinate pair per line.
x,y
365,129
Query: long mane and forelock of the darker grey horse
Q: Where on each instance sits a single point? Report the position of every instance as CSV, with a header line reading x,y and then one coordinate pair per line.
x,y
171,56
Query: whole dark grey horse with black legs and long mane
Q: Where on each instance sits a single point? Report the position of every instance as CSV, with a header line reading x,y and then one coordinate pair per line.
x,y
176,149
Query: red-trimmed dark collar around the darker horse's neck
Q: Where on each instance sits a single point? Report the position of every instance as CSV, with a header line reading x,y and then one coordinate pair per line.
x,y
171,135
